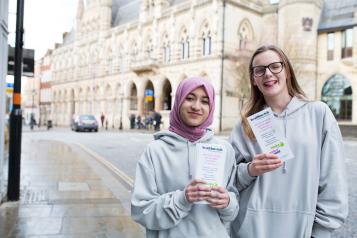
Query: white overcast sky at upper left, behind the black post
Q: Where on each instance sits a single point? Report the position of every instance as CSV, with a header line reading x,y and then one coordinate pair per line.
x,y
44,23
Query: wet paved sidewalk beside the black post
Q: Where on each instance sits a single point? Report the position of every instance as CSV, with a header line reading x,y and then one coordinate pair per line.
x,y
66,193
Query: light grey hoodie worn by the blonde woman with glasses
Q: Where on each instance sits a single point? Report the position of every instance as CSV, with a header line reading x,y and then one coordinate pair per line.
x,y
305,197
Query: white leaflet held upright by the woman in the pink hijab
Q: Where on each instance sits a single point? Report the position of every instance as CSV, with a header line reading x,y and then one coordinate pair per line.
x,y
210,163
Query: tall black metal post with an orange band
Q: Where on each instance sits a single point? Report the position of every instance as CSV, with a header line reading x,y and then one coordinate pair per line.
x,y
13,188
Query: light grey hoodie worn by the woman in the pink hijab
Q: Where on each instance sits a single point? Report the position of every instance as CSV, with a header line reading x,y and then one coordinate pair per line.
x,y
158,201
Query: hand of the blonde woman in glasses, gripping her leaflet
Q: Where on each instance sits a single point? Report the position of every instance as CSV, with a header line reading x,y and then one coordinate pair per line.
x,y
263,163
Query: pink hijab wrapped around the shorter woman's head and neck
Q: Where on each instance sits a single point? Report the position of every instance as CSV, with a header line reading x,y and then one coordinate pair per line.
x,y
176,124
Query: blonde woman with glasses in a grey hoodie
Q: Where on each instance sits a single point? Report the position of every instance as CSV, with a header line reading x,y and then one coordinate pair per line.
x,y
302,197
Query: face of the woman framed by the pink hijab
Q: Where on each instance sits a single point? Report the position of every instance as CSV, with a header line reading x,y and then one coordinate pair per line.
x,y
194,109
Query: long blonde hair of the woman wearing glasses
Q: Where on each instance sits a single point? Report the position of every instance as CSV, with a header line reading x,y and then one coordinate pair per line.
x,y
256,101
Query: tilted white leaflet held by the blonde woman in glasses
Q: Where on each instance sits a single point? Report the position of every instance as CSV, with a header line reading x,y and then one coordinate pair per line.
x,y
268,140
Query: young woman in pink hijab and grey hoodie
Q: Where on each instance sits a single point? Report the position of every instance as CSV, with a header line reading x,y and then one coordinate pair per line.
x,y
167,197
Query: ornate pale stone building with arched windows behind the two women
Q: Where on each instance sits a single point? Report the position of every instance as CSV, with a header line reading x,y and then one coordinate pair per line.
x,y
127,57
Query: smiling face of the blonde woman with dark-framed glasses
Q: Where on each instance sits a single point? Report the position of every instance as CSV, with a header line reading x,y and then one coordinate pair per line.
x,y
271,85
